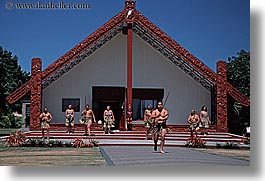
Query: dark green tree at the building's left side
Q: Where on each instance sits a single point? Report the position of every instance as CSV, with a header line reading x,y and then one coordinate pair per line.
x,y
11,77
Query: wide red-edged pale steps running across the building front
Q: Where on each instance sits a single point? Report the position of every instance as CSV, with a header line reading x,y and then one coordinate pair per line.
x,y
136,138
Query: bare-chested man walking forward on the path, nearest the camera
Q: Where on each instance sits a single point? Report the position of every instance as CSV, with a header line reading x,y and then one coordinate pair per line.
x,y
160,116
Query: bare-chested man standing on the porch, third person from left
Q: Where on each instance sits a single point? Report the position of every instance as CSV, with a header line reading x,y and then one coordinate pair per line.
x,y
87,120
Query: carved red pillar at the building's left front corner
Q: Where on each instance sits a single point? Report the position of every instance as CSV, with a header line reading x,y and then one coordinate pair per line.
x,y
35,95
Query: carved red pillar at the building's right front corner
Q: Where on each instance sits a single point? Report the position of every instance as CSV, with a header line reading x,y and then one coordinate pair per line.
x,y
221,97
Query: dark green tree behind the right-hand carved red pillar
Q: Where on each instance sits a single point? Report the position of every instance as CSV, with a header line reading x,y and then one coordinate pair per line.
x,y
238,74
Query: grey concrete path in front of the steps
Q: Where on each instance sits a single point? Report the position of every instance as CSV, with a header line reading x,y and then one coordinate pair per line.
x,y
179,156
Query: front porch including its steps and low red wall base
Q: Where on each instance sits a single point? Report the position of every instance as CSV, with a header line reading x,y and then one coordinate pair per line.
x,y
174,138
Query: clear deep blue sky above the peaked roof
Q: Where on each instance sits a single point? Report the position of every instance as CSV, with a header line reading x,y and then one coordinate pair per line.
x,y
211,30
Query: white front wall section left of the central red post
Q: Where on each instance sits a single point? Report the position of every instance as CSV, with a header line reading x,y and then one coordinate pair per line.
x,y
106,66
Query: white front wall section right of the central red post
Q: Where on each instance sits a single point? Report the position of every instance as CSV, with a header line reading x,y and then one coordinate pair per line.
x,y
185,92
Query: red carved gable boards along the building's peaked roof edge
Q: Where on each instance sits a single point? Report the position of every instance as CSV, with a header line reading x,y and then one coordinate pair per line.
x,y
114,22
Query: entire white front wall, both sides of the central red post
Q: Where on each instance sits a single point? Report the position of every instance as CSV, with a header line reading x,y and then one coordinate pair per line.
x,y
107,67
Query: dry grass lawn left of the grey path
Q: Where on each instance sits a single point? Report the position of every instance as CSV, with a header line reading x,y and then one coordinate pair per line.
x,y
46,156
